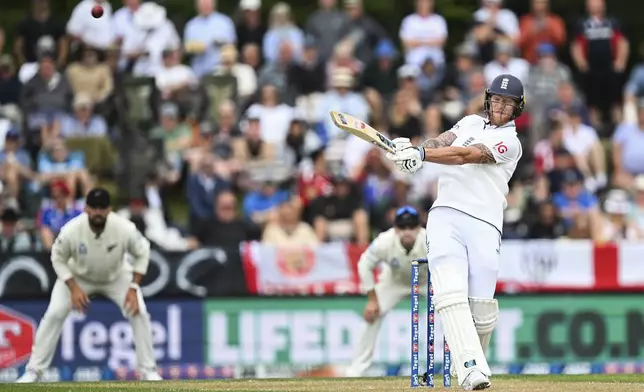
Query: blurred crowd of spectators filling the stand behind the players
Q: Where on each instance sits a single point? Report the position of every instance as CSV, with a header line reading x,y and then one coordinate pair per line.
x,y
232,138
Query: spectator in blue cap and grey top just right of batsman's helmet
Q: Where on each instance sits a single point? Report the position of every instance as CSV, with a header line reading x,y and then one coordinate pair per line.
x,y
544,79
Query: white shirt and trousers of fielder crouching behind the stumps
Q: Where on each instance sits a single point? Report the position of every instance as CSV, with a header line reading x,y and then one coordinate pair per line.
x,y
394,284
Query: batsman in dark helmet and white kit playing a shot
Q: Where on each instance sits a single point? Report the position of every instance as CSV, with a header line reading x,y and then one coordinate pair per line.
x,y
478,157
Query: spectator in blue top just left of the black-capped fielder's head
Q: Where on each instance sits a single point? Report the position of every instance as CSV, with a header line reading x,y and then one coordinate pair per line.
x,y
52,218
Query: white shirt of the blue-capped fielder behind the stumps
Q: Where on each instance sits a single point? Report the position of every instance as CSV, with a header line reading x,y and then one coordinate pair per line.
x,y
387,250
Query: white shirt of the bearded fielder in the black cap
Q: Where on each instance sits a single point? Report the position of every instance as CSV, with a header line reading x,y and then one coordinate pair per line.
x,y
78,252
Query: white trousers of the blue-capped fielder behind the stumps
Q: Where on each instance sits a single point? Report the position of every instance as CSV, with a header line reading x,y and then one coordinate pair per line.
x,y
389,294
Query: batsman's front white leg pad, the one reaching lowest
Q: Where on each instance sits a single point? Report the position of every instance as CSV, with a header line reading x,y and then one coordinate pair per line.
x,y
451,303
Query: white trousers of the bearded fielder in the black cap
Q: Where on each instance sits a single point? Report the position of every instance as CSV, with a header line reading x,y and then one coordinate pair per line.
x,y
50,327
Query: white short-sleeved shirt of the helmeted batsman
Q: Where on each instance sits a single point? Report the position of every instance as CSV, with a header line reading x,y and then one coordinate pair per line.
x,y
475,189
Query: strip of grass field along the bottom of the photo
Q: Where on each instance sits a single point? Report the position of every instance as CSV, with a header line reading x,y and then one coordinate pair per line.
x,y
562,383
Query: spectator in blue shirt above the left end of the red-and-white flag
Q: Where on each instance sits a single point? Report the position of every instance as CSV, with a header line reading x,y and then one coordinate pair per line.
x,y
261,205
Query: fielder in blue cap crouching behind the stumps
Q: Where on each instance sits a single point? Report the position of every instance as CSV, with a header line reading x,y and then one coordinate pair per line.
x,y
395,249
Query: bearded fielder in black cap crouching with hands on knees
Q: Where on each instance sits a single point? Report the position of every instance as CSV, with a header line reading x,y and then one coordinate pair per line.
x,y
89,258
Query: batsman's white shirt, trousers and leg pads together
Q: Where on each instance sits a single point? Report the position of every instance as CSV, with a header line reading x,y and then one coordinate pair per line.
x,y
464,239
